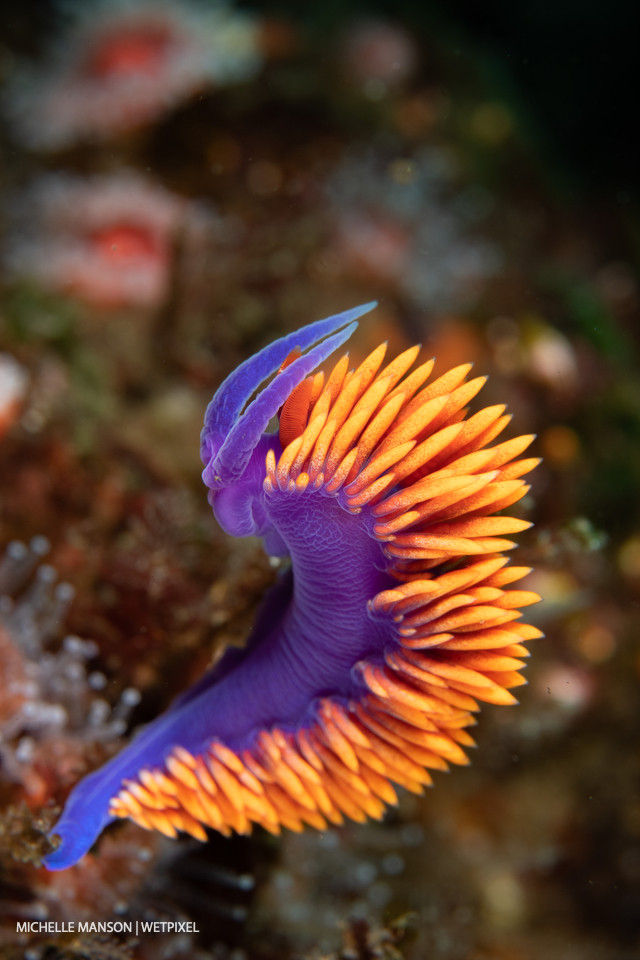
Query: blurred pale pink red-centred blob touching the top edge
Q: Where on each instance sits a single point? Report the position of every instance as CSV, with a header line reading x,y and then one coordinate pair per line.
x,y
121,65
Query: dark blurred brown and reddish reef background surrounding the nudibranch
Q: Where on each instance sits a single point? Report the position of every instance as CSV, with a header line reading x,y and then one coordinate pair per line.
x,y
182,181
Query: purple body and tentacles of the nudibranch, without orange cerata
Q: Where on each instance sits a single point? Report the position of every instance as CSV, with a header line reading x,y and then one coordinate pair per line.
x,y
313,627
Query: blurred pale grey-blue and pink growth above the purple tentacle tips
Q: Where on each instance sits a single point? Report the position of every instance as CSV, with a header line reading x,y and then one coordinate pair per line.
x,y
411,222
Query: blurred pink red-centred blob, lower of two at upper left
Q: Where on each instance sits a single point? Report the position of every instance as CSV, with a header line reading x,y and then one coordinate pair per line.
x,y
106,239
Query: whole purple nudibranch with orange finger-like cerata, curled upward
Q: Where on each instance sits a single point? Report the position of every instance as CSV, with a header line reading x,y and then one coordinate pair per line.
x,y
393,619
